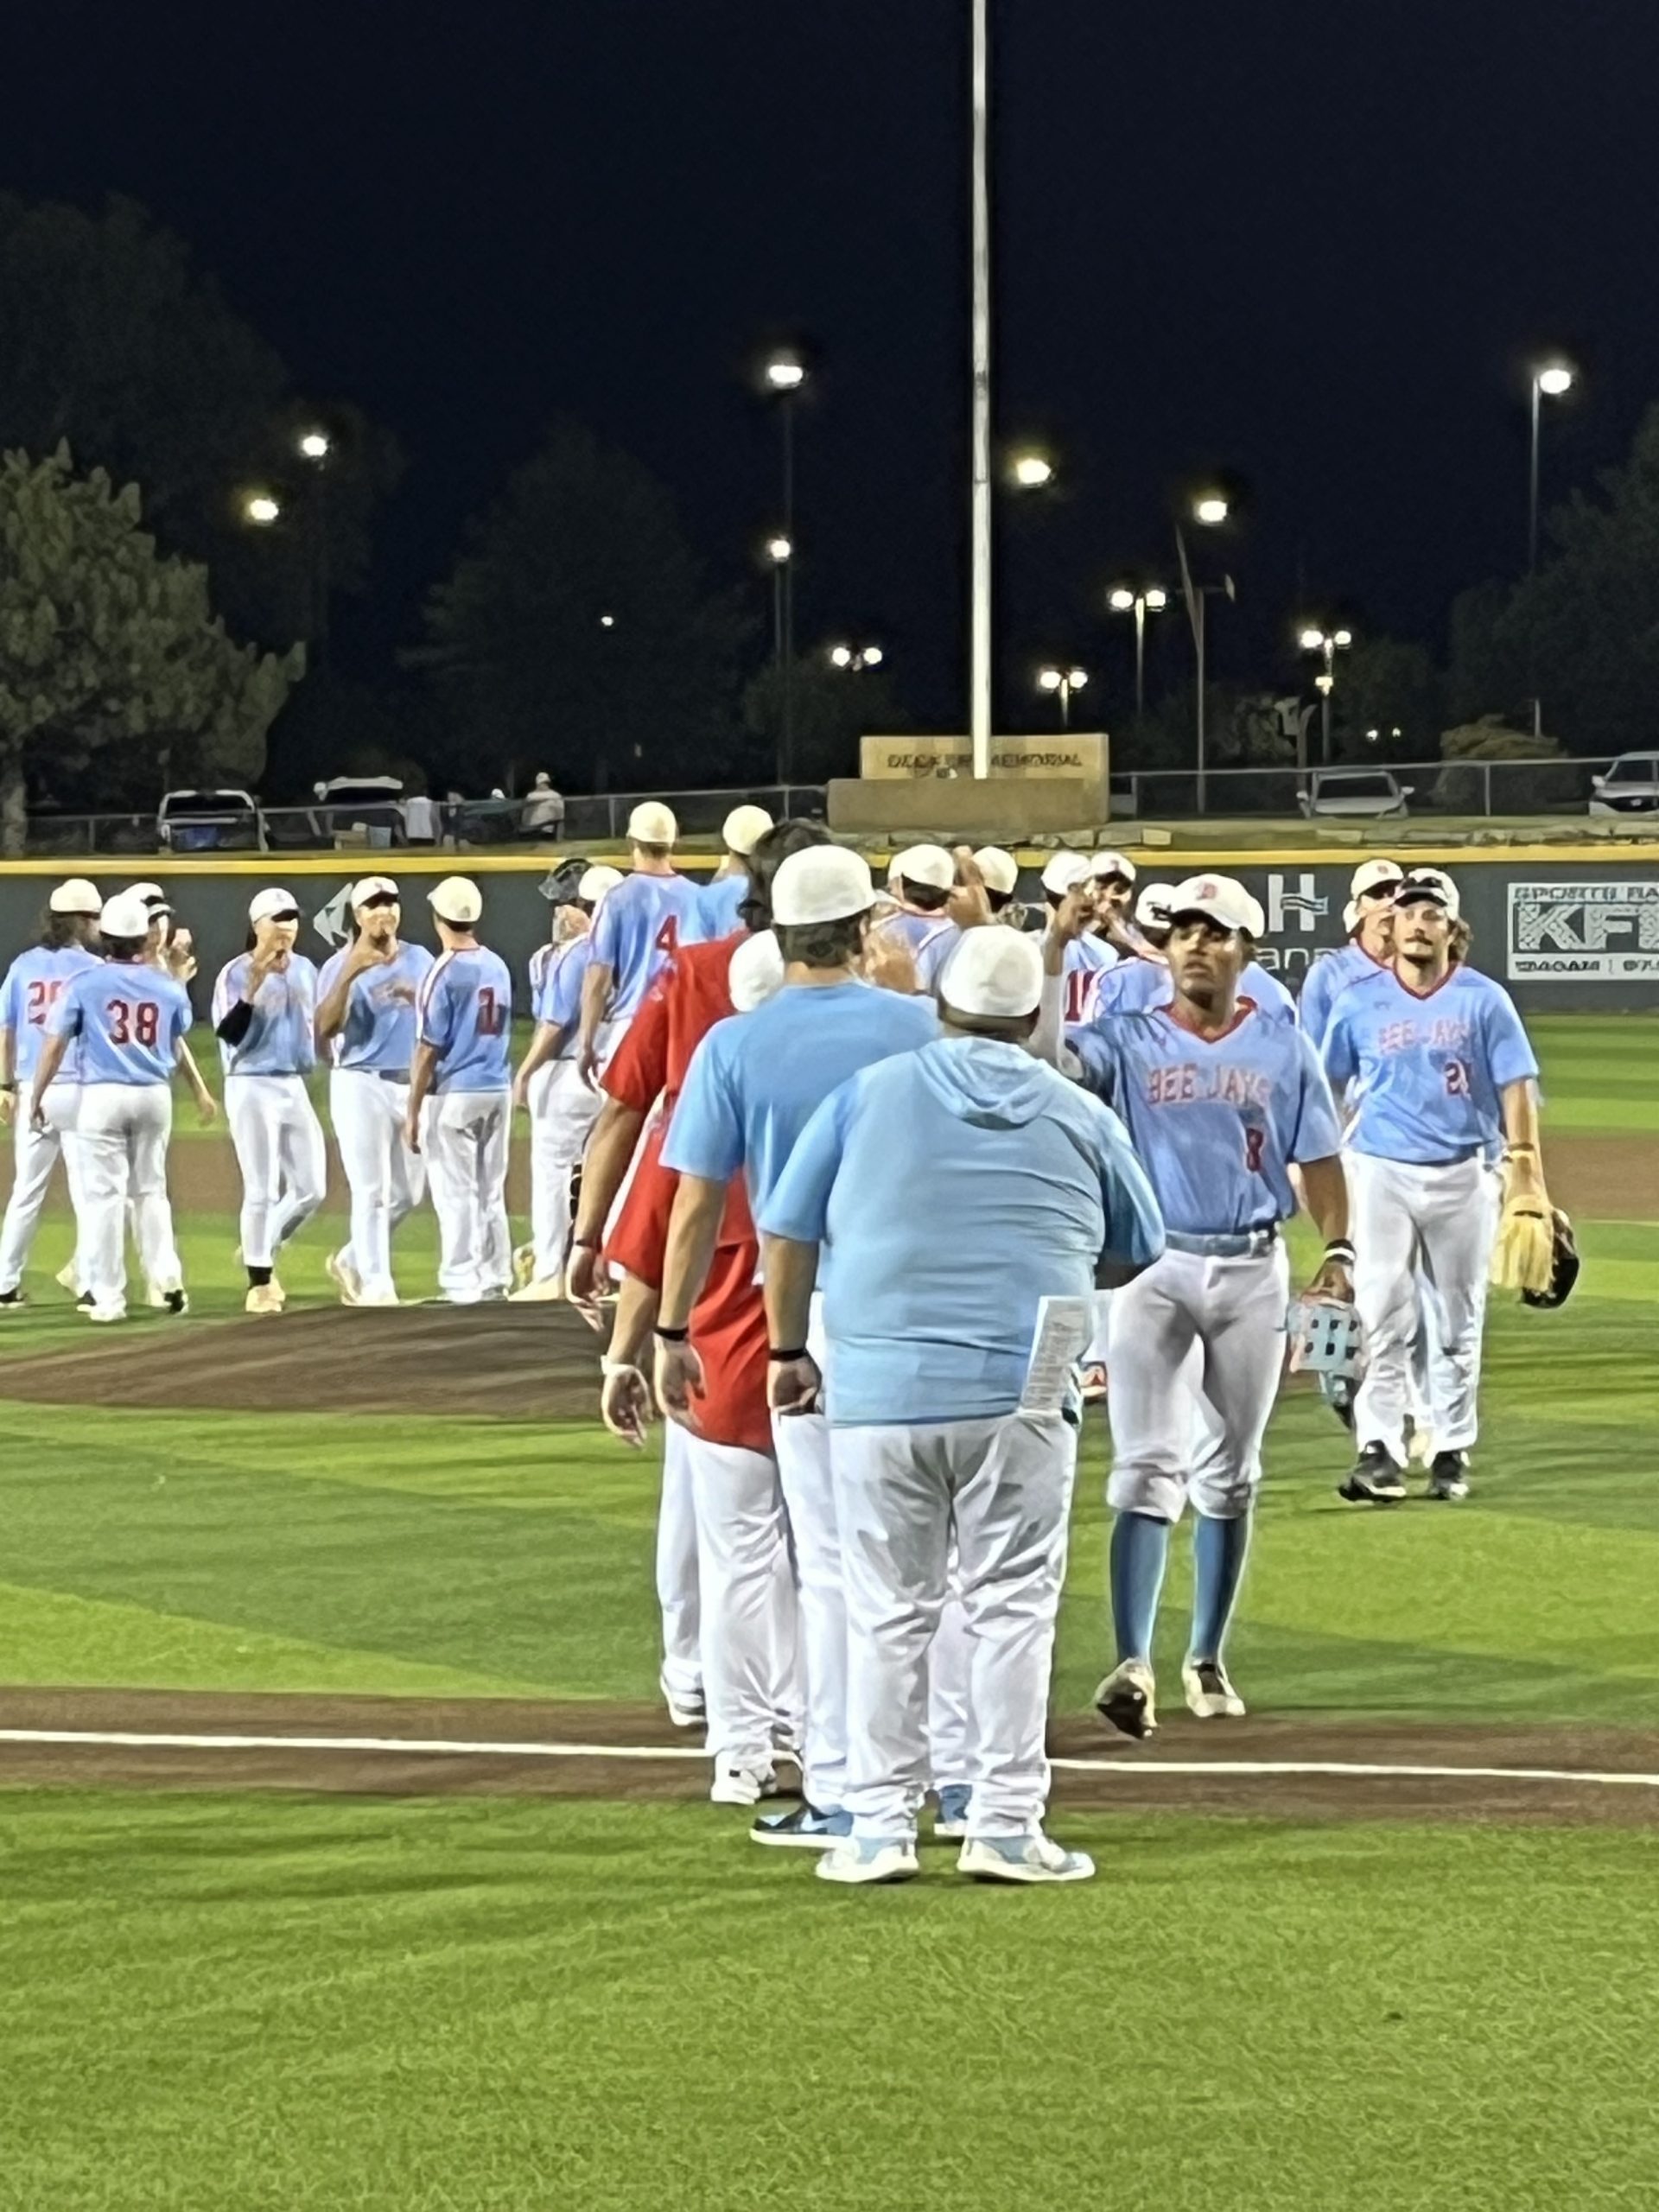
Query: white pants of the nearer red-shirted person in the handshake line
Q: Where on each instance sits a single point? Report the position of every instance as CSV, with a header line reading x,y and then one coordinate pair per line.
x,y
744,1600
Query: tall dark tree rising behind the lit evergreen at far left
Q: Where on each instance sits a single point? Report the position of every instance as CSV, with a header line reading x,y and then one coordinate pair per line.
x,y
121,348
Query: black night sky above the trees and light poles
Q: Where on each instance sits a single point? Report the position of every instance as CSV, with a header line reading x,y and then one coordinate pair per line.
x,y
1308,244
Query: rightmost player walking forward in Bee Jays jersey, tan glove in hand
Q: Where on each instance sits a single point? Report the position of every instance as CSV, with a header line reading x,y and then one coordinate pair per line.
x,y
1443,1081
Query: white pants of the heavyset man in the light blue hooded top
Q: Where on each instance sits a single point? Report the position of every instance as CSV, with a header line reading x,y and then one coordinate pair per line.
x,y
1003,1488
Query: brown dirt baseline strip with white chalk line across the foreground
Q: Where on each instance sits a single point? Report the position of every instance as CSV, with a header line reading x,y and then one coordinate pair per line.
x,y
397,1746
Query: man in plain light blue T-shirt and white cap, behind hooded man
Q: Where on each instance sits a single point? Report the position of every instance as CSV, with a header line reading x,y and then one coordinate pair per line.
x,y
751,1089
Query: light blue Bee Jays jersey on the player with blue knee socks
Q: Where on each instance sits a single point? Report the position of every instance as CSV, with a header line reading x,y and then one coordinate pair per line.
x,y
1215,1120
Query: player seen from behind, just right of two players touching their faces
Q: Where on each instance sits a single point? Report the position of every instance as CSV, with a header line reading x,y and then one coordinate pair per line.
x,y
461,1098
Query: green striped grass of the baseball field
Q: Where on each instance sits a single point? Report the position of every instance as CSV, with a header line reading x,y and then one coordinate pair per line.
x,y
512,2003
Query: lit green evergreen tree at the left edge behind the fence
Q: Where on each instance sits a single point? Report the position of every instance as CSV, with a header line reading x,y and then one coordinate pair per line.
x,y
112,658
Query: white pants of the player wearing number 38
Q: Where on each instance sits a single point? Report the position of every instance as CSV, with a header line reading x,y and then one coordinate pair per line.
x,y
123,1134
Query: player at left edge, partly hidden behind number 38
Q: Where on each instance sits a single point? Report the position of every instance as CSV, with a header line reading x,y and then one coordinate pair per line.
x,y
34,983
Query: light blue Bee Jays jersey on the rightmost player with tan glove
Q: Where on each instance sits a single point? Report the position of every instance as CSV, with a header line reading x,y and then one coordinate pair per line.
x,y
1423,1070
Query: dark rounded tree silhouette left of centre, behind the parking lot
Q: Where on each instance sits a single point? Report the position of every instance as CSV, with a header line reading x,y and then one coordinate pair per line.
x,y
578,632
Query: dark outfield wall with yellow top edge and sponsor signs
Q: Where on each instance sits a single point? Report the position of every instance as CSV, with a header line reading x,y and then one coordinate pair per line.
x,y
1563,930
